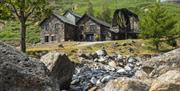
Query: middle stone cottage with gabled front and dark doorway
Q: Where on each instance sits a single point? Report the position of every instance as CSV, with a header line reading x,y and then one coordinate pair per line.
x,y
93,29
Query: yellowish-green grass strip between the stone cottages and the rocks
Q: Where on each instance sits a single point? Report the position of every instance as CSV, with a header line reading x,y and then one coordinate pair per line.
x,y
140,47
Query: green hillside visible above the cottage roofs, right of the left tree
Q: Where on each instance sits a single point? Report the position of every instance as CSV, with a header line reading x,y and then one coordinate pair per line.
x,y
137,6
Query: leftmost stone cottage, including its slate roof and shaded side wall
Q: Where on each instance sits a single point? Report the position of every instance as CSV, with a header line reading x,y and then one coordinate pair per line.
x,y
57,28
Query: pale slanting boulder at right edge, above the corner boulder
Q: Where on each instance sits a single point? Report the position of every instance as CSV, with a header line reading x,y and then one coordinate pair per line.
x,y
159,65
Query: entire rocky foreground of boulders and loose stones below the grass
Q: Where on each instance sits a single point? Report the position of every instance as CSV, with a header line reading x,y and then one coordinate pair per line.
x,y
97,72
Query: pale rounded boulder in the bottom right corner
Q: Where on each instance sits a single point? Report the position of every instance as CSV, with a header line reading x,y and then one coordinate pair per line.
x,y
169,81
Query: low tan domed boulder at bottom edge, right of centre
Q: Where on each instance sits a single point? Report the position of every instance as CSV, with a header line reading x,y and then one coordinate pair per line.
x,y
126,84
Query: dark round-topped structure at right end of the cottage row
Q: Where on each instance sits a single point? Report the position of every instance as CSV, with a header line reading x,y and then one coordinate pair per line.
x,y
125,25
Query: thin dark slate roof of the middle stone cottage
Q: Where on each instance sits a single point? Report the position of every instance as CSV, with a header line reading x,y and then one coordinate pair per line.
x,y
95,20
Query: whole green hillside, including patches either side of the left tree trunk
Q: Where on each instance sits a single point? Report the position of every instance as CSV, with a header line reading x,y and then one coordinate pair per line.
x,y
11,30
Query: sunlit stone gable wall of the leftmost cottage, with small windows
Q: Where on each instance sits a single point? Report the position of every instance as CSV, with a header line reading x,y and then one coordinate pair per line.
x,y
52,27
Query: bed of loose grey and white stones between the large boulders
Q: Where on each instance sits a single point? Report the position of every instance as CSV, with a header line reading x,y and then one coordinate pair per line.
x,y
99,68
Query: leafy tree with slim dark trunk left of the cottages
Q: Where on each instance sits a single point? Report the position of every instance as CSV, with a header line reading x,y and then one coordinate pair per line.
x,y
23,9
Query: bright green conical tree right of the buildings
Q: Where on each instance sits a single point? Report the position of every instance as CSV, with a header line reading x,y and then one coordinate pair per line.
x,y
158,26
